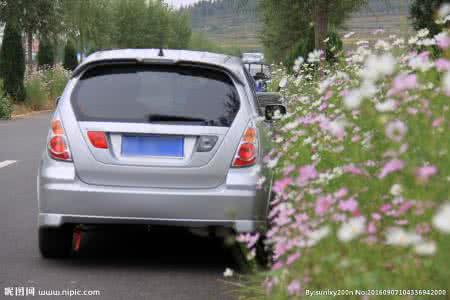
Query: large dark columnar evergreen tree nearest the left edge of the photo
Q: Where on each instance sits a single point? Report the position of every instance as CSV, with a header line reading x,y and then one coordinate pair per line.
x,y
12,61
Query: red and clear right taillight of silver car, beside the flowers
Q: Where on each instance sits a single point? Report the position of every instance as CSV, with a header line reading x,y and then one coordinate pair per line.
x,y
247,152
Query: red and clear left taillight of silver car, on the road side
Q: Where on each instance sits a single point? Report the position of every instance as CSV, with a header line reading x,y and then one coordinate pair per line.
x,y
57,145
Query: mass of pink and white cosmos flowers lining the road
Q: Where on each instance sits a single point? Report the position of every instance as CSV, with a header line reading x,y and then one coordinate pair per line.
x,y
361,164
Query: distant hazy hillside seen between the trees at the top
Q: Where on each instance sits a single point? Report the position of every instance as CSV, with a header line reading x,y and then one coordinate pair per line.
x,y
231,26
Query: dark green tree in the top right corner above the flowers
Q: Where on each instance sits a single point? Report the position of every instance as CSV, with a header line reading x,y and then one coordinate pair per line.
x,y
423,14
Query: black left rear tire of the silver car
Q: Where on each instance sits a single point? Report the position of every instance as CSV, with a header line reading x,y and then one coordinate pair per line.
x,y
55,242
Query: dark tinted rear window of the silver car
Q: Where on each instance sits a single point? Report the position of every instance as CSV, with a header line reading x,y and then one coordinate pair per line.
x,y
156,94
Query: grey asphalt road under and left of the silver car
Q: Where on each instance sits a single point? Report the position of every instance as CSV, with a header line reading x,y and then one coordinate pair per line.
x,y
122,263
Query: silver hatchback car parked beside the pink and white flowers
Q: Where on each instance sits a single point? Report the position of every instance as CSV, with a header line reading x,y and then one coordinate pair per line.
x,y
154,137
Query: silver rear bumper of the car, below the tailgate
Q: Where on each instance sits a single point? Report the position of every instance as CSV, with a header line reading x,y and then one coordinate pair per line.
x,y
237,204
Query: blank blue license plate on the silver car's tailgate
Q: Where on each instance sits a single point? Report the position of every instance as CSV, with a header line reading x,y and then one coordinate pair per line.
x,y
161,146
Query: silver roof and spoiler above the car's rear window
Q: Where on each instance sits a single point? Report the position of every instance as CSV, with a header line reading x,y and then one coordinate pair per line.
x,y
230,63
